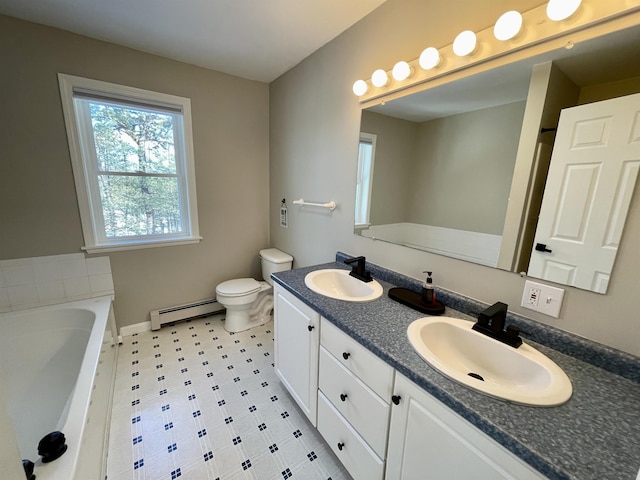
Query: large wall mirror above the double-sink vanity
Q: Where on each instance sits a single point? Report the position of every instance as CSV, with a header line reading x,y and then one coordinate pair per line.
x,y
438,170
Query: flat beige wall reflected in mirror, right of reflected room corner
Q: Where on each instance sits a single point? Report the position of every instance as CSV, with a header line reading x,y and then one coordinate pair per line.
x,y
463,169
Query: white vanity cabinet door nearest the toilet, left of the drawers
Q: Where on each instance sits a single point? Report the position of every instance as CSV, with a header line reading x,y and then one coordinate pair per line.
x,y
297,341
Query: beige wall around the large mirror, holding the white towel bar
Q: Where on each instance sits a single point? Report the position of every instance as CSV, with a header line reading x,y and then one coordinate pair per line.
x,y
314,122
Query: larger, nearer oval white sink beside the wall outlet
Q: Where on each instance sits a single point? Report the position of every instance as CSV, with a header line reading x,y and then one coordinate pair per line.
x,y
520,375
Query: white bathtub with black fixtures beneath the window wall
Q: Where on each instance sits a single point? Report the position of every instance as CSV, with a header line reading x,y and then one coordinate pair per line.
x,y
49,358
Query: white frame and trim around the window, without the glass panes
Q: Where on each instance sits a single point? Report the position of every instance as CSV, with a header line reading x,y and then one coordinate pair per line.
x,y
84,162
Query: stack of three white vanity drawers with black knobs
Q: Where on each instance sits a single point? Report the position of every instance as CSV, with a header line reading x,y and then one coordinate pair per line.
x,y
355,389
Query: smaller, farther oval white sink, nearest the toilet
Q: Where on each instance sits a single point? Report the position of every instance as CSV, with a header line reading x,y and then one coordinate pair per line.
x,y
338,284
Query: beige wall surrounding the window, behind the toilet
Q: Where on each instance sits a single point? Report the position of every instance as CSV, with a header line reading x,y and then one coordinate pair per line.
x,y
38,207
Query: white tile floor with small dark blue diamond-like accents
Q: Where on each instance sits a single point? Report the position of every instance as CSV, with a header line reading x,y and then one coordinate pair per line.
x,y
193,401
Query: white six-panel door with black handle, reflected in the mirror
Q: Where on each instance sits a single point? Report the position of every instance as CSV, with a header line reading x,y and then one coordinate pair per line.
x,y
594,166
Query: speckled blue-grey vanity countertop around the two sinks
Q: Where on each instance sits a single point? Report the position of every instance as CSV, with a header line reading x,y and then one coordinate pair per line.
x,y
595,435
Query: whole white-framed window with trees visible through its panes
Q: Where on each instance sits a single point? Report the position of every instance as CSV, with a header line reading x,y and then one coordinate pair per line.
x,y
132,156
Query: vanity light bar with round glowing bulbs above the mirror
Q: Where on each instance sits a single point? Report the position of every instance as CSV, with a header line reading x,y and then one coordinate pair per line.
x,y
464,50
